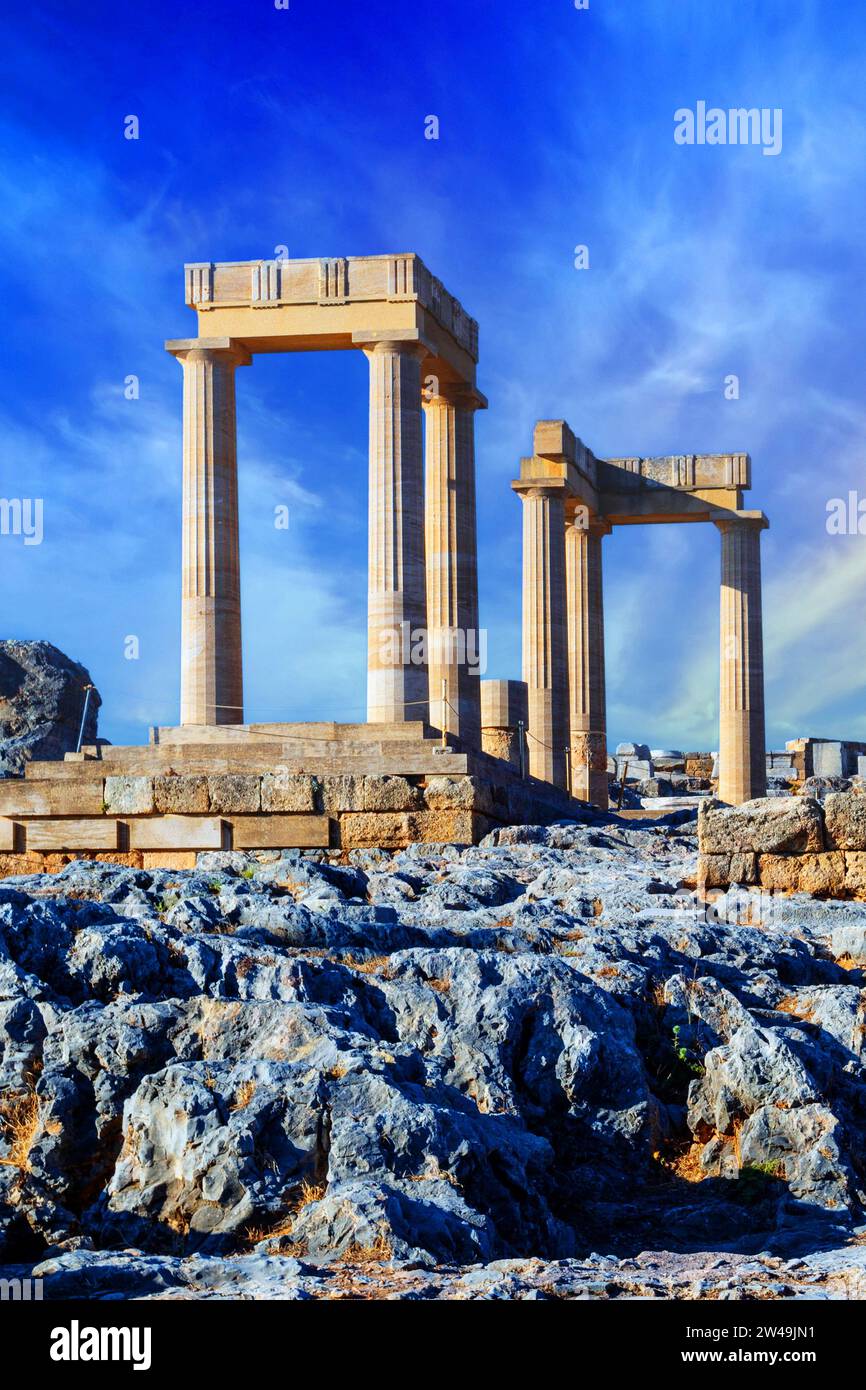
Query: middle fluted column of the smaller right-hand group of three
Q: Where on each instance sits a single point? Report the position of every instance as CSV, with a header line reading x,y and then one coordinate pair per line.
x,y
589,719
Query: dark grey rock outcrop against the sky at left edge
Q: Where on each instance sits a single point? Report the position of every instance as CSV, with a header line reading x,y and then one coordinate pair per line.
x,y
42,700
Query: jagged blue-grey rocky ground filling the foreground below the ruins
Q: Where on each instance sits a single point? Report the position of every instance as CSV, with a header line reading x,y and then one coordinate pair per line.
x,y
533,1070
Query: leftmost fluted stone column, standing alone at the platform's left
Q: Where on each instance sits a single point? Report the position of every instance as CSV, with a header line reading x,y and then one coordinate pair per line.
x,y
212,668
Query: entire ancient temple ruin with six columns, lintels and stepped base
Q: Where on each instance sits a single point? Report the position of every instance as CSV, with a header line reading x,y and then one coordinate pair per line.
x,y
444,755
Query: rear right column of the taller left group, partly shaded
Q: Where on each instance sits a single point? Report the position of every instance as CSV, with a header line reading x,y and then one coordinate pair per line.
x,y
455,654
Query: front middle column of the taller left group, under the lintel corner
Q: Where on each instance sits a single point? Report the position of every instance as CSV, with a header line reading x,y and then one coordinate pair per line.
x,y
397,590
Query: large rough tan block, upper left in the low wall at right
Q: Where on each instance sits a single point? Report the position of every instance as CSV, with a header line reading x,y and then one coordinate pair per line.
x,y
767,825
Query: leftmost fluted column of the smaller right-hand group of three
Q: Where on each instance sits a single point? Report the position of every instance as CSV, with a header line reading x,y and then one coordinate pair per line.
x,y
546,668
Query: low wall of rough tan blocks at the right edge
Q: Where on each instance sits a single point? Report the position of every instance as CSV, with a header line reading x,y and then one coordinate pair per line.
x,y
793,844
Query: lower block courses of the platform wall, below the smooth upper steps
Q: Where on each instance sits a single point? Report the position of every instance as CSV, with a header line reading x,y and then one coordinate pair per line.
x,y
163,821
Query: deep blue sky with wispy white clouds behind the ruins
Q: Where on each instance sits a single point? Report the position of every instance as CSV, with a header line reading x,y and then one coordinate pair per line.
x,y
262,127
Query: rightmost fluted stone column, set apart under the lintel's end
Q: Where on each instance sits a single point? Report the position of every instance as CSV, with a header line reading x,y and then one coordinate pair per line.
x,y
742,721
